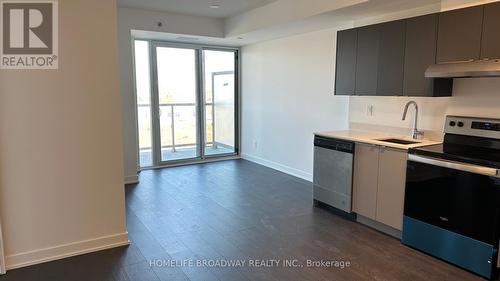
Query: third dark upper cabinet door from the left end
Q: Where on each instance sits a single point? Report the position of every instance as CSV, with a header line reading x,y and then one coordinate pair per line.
x,y
391,58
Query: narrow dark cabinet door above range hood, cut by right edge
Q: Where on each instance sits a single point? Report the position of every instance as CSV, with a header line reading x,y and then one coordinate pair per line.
x,y
490,44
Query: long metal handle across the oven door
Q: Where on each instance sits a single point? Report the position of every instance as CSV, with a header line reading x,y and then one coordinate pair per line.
x,y
476,169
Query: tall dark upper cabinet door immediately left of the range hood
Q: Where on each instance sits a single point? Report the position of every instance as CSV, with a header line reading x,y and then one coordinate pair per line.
x,y
420,52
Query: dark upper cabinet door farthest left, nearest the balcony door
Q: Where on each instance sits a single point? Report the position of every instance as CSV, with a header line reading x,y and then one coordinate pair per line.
x,y
346,62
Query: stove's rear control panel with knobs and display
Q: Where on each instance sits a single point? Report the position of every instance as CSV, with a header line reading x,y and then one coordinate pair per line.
x,y
472,126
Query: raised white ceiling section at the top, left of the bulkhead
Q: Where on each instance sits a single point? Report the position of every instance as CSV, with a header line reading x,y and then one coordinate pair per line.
x,y
227,8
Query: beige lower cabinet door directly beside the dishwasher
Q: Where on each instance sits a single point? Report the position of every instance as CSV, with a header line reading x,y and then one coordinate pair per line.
x,y
365,180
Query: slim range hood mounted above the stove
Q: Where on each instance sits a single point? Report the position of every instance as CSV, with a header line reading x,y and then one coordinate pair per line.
x,y
473,69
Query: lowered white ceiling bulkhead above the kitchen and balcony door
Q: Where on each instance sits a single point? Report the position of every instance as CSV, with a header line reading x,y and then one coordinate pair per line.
x,y
262,25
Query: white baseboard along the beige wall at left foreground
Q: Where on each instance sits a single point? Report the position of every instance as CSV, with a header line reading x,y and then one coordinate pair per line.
x,y
66,250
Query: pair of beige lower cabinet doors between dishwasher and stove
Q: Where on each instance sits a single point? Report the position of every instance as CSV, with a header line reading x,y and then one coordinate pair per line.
x,y
379,183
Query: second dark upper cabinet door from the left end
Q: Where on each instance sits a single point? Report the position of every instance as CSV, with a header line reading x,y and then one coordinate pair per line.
x,y
367,60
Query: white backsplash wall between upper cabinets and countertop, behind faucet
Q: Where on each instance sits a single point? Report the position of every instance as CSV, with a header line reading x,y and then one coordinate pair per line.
x,y
471,97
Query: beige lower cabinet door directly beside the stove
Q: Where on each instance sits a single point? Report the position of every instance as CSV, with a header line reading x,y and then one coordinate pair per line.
x,y
391,187
